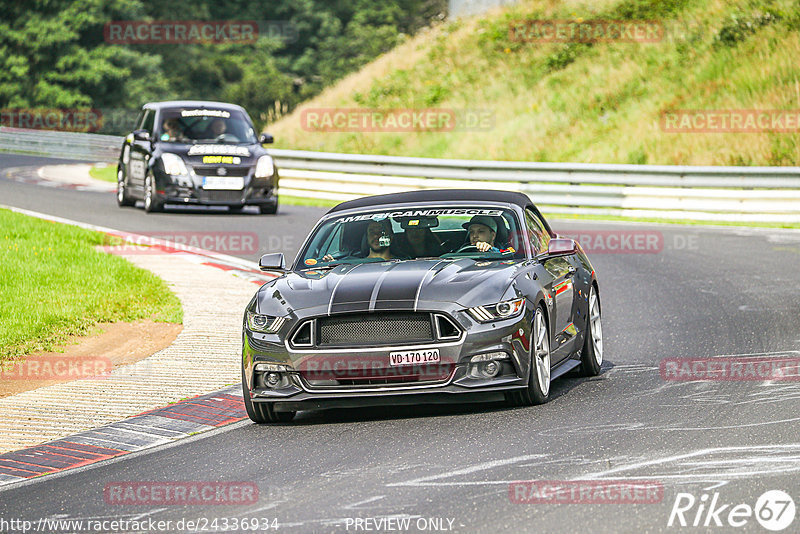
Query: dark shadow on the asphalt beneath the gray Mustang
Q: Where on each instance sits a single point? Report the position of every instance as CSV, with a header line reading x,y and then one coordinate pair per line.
x,y
560,387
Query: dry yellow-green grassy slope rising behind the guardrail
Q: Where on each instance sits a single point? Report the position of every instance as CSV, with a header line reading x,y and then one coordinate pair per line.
x,y
578,102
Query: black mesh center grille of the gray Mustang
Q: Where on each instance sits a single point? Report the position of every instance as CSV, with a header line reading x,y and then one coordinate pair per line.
x,y
375,329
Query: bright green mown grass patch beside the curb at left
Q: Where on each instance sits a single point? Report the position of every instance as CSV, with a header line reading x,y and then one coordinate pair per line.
x,y
53,284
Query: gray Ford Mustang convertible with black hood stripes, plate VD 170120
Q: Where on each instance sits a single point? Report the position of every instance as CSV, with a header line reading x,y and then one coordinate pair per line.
x,y
421,297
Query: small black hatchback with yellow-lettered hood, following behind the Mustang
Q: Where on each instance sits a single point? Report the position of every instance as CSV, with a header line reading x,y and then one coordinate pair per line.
x,y
196,153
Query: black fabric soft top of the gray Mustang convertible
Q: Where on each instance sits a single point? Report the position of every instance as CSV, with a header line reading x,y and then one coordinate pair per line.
x,y
438,195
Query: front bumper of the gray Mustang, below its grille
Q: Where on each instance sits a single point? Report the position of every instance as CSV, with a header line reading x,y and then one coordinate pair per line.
x,y
299,392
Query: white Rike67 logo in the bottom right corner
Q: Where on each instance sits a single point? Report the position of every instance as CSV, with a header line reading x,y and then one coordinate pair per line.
x,y
774,510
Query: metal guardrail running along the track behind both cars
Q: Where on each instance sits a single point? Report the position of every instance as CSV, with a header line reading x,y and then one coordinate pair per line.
x,y
765,194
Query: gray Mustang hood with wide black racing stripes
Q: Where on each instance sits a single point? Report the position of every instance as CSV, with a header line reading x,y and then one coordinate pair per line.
x,y
395,285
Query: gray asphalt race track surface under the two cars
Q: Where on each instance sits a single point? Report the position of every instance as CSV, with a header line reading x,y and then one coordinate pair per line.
x,y
698,292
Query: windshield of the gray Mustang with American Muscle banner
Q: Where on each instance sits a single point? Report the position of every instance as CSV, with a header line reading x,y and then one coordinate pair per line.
x,y
477,232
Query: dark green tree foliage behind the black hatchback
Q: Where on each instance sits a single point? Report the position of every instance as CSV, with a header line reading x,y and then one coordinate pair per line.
x,y
53,53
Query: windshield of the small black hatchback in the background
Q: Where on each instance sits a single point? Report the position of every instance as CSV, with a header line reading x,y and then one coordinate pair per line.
x,y
205,126
